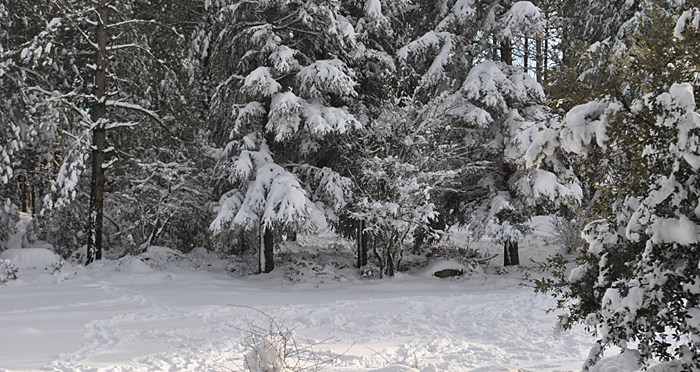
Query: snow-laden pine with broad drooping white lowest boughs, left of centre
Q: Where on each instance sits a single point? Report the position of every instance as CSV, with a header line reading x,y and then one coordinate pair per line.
x,y
282,85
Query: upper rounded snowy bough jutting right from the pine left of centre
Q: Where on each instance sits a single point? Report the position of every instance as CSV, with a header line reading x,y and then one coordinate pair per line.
x,y
326,77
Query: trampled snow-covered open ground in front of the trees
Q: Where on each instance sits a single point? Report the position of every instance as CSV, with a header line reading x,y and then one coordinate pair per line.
x,y
135,314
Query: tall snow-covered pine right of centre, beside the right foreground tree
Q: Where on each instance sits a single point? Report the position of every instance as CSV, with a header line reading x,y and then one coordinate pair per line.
x,y
478,113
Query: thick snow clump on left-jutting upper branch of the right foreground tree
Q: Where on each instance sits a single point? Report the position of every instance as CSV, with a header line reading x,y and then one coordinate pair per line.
x,y
584,122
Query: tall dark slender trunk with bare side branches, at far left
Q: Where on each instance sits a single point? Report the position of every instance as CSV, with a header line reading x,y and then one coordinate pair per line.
x,y
99,109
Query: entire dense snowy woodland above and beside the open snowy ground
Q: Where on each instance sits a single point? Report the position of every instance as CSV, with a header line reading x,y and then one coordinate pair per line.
x,y
234,125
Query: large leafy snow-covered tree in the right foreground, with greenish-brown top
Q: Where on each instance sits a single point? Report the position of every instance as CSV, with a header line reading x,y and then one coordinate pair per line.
x,y
636,140
